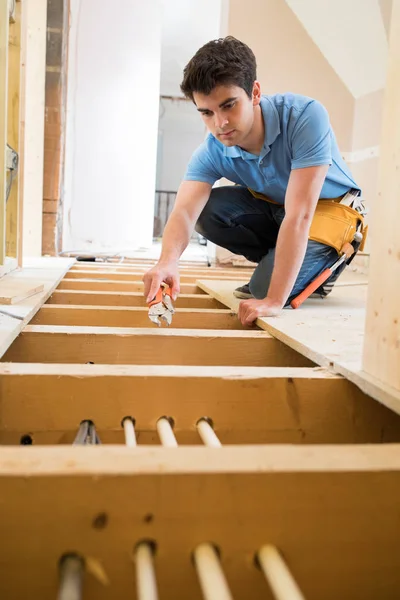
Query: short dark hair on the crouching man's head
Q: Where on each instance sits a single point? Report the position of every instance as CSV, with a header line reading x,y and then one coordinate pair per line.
x,y
225,61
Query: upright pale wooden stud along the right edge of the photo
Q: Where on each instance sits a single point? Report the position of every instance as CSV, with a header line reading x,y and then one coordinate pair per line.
x,y
381,353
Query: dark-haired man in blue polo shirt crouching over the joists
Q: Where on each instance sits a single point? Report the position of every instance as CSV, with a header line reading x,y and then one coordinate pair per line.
x,y
281,152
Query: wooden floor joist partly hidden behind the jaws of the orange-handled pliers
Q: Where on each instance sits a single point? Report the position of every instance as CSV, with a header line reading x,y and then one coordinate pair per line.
x,y
133,316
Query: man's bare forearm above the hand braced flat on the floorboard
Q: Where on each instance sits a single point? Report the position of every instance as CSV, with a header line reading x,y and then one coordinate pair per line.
x,y
289,255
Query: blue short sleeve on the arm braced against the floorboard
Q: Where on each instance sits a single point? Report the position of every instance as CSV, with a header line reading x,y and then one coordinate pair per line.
x,y
311,141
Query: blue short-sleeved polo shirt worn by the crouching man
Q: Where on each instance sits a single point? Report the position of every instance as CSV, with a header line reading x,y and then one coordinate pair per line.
x,y
297,134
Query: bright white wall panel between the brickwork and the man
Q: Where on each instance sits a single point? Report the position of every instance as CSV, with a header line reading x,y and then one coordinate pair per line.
x,y
112,121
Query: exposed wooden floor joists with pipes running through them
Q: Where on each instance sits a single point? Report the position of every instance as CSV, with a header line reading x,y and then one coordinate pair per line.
x,y
225,452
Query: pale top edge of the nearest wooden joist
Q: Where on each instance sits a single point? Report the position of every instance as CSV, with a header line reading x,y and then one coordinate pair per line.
x,y
118,460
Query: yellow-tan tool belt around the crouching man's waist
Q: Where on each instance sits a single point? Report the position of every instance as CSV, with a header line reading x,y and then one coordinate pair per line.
x,y
333,224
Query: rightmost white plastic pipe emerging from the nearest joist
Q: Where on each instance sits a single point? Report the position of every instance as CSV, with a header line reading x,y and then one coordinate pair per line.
x,y
279,577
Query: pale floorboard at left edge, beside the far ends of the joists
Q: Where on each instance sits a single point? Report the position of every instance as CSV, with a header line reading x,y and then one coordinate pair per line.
x,y
13,318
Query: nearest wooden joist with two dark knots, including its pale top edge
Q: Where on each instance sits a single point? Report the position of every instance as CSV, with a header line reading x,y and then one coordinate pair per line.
x,y
315,504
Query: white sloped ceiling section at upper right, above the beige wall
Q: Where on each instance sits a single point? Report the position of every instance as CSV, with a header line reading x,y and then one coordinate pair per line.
x,y
351,35
